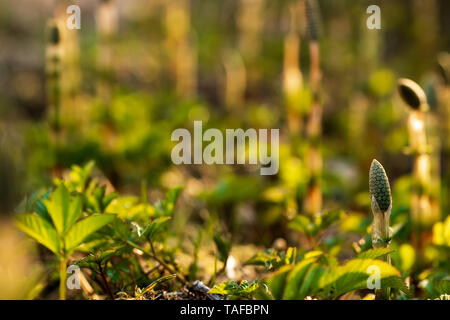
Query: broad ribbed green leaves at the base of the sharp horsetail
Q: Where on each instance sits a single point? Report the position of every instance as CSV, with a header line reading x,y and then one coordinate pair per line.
x,y
317,274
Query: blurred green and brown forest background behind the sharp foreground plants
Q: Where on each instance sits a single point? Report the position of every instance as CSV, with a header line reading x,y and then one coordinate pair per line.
x,y
115,90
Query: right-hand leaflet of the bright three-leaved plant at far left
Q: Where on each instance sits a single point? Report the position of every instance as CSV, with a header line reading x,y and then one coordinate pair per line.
x,y
84,228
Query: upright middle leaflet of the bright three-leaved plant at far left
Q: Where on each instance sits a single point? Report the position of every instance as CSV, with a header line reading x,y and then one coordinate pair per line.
x,y
63,211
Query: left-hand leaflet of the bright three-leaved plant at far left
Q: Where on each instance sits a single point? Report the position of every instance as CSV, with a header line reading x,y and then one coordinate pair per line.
x,y
39,229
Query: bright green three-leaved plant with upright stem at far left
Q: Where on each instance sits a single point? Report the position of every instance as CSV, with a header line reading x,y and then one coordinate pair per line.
x,y
63,229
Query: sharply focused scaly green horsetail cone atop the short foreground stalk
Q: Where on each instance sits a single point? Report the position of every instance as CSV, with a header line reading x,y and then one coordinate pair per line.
x,y
379,188
